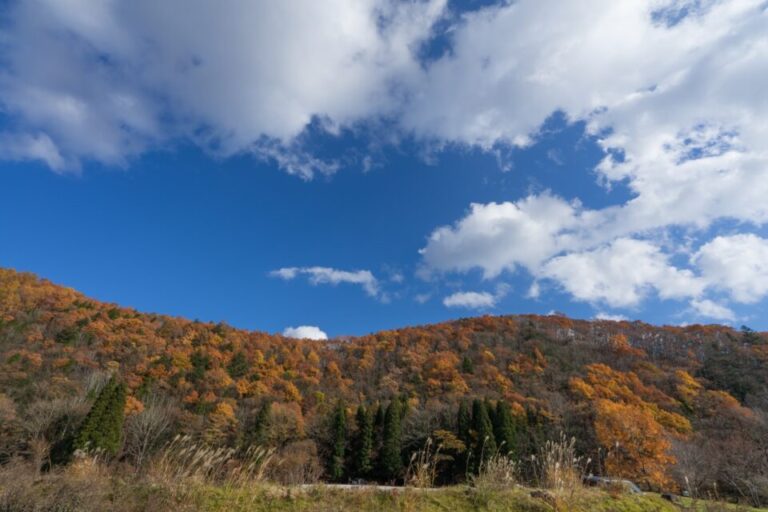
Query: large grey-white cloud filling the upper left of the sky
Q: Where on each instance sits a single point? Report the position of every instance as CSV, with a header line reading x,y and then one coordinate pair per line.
x,y
108,80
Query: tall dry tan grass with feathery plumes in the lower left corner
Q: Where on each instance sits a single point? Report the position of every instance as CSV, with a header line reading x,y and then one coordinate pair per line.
x,y
179,478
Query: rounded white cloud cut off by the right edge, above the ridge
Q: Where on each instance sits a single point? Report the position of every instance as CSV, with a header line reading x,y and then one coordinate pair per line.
x,y
737,265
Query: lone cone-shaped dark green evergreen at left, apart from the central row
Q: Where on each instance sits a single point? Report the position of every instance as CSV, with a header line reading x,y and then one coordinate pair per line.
x,y
102,428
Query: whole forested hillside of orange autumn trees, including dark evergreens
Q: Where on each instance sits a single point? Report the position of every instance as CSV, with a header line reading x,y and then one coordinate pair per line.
x,y
668,407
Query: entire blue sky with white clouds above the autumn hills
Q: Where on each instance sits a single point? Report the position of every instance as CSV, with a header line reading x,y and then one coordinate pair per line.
x,y
379,164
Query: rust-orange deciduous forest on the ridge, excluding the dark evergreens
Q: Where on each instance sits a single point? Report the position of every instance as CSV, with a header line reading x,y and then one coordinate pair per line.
x,y
688,388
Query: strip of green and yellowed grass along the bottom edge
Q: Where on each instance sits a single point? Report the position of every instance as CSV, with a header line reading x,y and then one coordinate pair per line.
x,y
93,492
